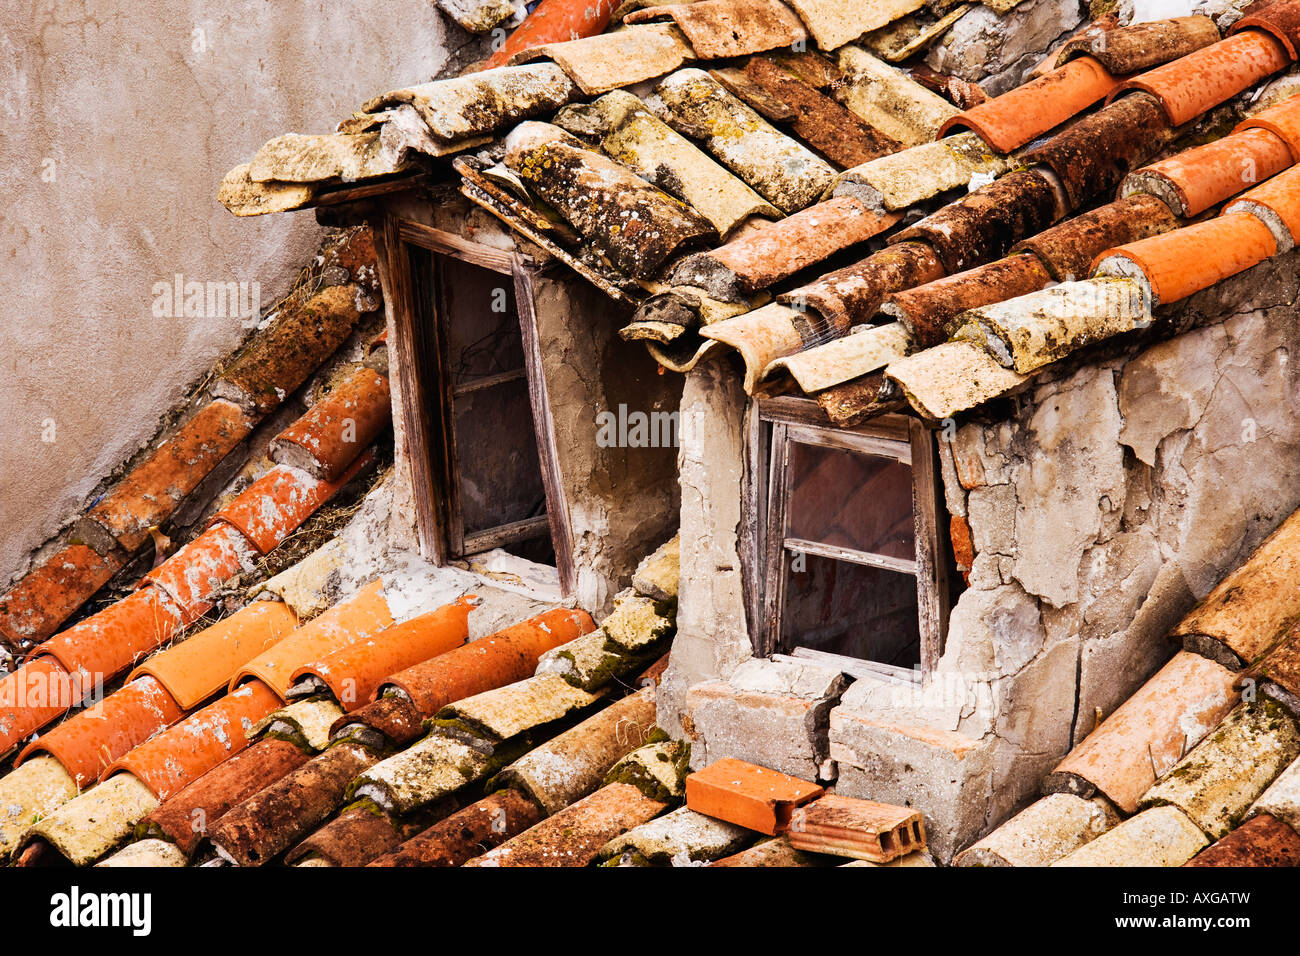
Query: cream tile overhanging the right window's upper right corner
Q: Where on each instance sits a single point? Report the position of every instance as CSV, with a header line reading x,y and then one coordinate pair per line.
x,y
952,378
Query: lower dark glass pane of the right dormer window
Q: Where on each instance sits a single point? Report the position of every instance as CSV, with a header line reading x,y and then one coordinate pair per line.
x,y
851,609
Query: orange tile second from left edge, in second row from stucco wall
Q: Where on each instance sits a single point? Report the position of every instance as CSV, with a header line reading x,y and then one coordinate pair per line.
x,y
109,643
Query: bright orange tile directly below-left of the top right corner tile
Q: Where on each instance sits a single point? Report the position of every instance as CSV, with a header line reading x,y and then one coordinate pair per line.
x,y
1212,75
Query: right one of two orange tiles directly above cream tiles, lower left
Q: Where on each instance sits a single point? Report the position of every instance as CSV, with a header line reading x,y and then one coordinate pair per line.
x,y
188,750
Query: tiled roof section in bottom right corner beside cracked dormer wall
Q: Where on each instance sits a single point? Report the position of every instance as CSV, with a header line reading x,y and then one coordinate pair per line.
x,y
1202,765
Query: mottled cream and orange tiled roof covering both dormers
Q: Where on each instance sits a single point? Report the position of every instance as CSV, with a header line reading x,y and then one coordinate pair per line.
x,y
726,166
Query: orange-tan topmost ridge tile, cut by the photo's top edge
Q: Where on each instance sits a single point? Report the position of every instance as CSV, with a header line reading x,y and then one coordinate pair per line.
x,y
720,29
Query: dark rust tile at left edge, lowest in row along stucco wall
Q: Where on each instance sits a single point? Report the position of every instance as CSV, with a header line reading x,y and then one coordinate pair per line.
x,y
36,607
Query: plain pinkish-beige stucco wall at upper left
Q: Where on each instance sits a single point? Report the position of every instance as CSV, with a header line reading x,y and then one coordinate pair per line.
x,y
120,122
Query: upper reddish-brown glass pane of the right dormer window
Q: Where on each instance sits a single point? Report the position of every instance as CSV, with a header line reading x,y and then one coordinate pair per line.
x,y
851,500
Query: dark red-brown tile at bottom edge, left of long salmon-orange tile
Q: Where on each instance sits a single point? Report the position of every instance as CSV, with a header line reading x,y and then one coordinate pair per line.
x,y
467,833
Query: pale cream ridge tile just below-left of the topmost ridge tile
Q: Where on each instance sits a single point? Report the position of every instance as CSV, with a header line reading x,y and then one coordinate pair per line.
x,y
623,58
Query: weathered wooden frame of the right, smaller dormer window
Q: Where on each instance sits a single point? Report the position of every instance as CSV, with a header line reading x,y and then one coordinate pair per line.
x,y
772,425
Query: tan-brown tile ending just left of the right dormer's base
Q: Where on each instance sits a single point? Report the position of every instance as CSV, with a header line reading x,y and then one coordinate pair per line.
x,y
574,764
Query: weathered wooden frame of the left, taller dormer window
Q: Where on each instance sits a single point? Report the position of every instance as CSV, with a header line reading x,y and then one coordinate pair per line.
x,y
427,392
